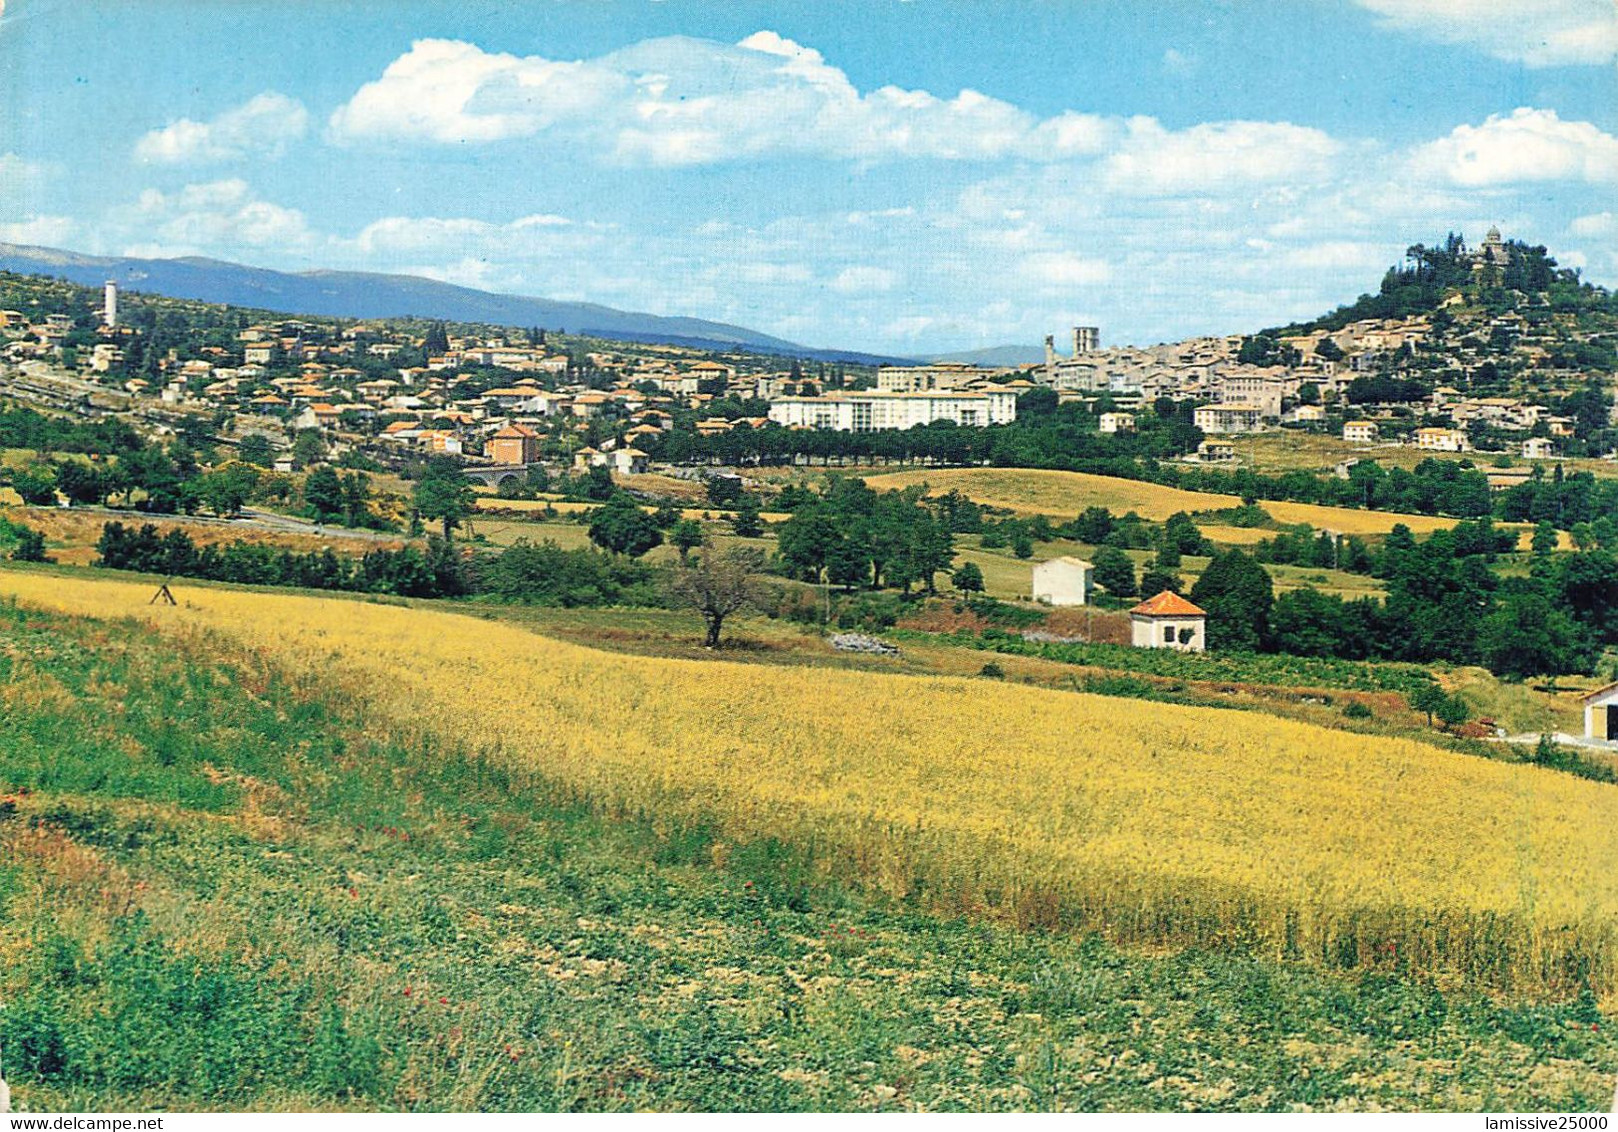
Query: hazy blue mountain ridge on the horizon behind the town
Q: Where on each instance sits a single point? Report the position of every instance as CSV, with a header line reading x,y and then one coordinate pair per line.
x,y
366,295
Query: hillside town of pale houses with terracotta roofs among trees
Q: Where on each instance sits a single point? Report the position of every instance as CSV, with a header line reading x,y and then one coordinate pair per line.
x,y
1463,378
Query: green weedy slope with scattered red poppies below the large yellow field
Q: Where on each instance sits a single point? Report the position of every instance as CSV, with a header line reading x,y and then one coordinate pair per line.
x,y
224,887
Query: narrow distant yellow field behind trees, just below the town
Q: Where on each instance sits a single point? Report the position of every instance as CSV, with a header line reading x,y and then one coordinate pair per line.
x,y
1062,494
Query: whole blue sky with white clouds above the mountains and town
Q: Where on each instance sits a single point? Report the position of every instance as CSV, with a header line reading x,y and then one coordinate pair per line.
x,y
883,175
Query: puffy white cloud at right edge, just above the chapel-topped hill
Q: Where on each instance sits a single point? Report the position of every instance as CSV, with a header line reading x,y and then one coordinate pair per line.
x,y
1525,146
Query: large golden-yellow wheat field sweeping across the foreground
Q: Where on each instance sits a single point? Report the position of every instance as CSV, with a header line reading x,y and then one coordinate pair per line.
x,y
1148,822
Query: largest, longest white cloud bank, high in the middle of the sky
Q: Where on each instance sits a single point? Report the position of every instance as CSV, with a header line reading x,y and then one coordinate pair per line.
x,y
682,101
